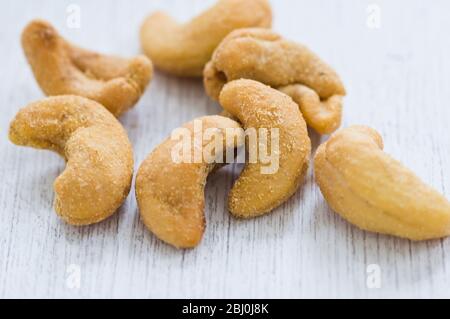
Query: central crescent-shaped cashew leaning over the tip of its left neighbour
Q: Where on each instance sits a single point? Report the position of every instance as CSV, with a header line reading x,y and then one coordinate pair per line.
x,y
258,106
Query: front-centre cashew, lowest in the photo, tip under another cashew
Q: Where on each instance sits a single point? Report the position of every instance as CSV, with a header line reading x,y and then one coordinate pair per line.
x,y
171,195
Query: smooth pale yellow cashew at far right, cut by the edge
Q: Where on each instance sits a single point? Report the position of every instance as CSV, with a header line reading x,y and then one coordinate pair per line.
x,y
375,192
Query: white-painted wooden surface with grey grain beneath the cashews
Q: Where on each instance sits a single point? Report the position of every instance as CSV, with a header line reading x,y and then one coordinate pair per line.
x,y
398,80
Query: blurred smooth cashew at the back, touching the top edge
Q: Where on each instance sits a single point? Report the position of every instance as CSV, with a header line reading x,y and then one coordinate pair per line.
x,y
184,49
